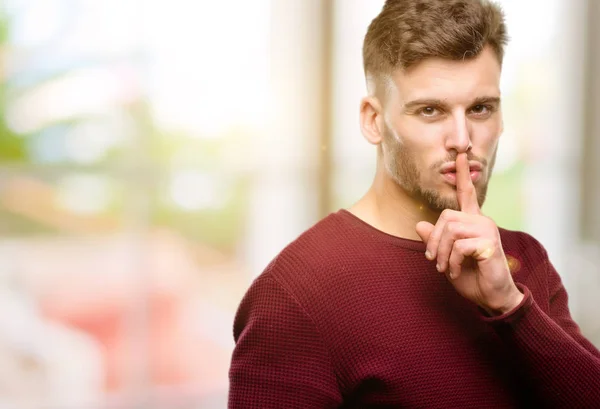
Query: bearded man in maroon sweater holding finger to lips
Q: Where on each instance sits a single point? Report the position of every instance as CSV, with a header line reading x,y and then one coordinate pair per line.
x,y
412,297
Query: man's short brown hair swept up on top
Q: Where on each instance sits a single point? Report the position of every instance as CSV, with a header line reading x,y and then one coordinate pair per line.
x,y
407,32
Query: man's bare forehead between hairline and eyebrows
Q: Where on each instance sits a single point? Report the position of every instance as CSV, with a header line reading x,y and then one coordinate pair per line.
x,y
454,81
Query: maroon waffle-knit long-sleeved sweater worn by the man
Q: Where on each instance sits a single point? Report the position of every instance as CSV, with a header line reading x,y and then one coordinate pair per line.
x,y
350,317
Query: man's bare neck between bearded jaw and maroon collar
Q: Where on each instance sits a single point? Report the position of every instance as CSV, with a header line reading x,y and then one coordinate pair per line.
x,y
389,208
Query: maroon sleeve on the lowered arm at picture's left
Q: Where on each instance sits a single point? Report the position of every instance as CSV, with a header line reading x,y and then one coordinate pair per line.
x,y
279,360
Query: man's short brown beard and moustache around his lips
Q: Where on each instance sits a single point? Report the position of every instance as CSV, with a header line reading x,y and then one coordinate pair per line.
x,y
401,166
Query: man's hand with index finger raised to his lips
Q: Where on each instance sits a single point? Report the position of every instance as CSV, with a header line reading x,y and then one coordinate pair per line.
x,y
466,246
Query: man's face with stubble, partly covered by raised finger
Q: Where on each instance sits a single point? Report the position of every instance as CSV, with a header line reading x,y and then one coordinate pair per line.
x,y
434,111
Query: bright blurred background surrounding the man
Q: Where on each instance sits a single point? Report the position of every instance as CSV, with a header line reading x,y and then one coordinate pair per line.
x,y
155,155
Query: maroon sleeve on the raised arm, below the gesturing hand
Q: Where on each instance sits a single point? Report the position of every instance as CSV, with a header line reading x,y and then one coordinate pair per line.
x,y
563,366
